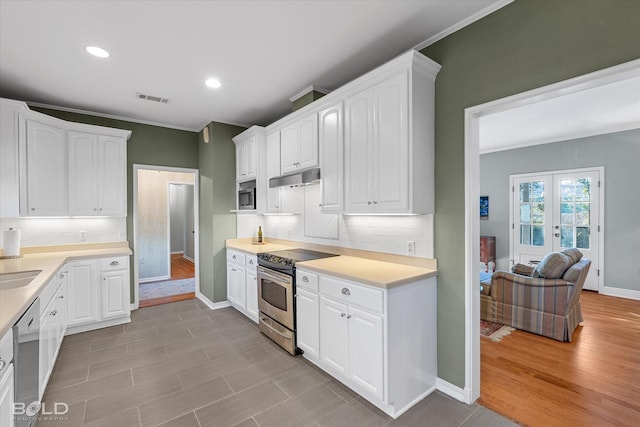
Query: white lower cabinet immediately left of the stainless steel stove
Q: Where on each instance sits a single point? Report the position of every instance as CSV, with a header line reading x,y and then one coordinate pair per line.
x,y
242,283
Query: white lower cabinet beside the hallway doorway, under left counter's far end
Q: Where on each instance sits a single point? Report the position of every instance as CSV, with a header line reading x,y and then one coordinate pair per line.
x,y
99,293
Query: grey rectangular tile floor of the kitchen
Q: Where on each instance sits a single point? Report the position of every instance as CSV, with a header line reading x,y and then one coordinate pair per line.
x,y
181,364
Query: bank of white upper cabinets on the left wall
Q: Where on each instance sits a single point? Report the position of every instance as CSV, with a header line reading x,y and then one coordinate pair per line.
x,y
51,167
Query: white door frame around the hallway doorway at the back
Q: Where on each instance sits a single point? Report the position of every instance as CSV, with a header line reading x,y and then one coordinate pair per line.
x,y
196,223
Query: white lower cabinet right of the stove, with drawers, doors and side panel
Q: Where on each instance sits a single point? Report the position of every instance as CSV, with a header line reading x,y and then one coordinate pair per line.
x,y
380,342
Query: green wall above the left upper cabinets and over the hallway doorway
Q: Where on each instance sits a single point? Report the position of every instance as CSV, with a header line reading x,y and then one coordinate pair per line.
x,y
148,145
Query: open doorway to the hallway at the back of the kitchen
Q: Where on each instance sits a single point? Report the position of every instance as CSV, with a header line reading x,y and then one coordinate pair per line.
x,y
165,234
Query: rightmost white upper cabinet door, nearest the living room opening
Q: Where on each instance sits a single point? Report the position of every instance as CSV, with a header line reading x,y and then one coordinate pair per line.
x,y
391,148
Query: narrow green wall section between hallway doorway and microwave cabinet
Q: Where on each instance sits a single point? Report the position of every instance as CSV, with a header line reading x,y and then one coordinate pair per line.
x,y
217,198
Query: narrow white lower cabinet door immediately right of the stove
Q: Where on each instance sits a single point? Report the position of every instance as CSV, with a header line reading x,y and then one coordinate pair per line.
x,y
308,323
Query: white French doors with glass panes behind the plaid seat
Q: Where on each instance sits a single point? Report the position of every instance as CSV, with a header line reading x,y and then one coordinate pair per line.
x,y
555,211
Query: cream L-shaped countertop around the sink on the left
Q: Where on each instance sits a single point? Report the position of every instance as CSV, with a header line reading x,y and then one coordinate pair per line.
x,y
14,302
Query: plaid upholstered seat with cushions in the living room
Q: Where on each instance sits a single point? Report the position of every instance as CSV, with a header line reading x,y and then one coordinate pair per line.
x,y
544,299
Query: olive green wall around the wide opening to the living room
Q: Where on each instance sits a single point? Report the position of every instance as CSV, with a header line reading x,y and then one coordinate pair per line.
x,y
525,45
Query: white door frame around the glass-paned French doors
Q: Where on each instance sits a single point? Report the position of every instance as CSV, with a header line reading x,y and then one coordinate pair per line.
x,y
601,221
